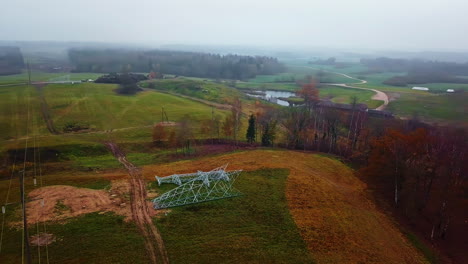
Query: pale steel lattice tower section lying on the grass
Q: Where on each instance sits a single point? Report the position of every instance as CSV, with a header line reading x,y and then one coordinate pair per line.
x,y
197,187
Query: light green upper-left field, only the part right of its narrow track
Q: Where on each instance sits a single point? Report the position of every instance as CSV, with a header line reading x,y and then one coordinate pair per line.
x,y
102,109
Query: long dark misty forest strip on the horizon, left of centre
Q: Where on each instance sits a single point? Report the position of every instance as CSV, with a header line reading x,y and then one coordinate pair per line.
x,y
192,64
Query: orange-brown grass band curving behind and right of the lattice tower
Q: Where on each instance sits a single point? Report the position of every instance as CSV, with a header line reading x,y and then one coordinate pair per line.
x,y
335,216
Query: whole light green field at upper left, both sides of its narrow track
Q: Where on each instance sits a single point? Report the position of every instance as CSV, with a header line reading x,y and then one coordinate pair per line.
x,y
95,105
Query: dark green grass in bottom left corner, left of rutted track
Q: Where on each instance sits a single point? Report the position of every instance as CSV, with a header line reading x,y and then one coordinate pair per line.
x,y
91,238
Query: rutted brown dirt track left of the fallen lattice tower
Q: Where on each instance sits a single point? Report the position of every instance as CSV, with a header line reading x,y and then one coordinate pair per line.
x,y
140,209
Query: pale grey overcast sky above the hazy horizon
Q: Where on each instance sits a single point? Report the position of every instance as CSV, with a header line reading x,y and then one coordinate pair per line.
x,y
364,24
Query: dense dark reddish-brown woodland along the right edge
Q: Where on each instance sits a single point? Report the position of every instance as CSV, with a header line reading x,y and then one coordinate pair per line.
x,y
422,169
